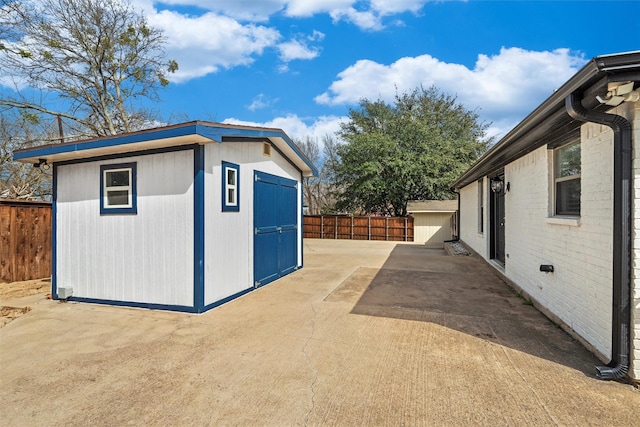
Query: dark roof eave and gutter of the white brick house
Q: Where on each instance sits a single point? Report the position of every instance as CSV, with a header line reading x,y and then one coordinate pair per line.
x,y
551,119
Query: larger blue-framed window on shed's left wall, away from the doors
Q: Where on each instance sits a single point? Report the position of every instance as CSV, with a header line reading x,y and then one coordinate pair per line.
x,y
118,189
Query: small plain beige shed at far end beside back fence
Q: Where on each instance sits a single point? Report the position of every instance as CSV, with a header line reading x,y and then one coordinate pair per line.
x,y
432,220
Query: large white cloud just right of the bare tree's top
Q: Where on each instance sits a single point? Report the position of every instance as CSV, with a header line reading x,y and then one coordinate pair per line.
x,y
205,43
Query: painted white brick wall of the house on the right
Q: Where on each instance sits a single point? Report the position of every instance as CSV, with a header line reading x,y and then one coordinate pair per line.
x,y
579,292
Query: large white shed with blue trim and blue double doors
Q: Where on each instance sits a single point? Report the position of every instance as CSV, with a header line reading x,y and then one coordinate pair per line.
x,y
183,217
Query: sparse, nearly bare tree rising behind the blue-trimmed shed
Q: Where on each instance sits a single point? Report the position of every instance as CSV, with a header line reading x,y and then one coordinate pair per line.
x,y
95,58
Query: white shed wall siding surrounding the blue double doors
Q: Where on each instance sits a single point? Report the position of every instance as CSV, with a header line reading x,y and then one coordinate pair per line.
x,y
229,235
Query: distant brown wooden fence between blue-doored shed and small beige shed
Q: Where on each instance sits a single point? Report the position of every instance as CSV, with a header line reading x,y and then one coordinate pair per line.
x,y
398,229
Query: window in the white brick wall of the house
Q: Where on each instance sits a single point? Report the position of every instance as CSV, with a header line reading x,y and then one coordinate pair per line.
x,y
566,177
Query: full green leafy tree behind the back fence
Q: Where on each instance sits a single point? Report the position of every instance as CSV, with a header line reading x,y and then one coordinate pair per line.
x,y
411,150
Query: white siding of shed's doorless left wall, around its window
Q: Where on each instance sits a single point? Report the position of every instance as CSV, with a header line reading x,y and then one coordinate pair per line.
x,y
147,257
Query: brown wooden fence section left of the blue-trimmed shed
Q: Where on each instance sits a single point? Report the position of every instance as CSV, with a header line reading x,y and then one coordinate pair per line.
x,y
25,240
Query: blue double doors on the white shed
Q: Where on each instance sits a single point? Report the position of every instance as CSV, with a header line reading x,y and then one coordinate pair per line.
x,y
275,219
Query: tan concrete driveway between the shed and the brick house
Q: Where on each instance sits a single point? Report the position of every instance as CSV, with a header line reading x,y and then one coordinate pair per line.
x,y
367,333
